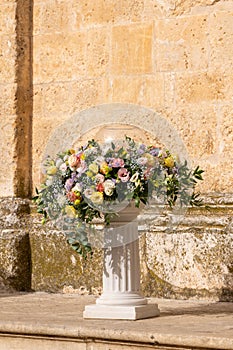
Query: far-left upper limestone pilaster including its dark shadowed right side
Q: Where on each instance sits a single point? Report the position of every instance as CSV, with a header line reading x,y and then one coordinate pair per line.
x,y
16,97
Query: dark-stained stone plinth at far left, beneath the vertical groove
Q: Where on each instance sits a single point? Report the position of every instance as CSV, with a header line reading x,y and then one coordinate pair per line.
x,y
15,253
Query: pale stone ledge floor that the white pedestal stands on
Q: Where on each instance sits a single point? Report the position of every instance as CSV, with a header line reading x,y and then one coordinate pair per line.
x,y
188,324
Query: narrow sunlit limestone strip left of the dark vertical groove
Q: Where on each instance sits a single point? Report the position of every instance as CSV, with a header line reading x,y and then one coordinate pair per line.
x,y
8,91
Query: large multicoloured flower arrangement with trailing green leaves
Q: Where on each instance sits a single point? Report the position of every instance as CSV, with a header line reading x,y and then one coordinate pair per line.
x,y
95,180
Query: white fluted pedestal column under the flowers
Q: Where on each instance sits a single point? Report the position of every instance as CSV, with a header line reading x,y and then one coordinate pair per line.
x,y
121,298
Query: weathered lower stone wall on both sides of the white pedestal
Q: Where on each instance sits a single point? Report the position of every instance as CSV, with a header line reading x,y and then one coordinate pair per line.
x,y
188,258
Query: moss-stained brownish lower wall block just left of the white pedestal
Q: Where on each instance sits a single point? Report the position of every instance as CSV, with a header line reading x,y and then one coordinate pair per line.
x,y
55,265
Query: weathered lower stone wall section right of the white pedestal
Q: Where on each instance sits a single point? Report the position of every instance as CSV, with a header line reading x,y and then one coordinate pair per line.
x,y
192,259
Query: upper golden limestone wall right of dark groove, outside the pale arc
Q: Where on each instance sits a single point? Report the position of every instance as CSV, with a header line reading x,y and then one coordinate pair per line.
x,y
174,57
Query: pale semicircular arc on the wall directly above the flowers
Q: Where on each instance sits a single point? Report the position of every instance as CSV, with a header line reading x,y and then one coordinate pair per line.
x,y
140,123
